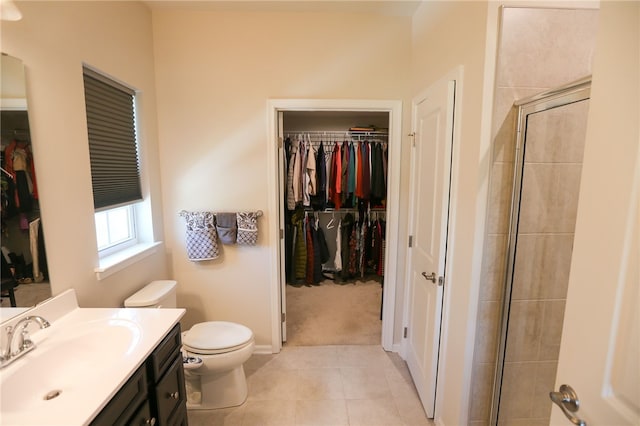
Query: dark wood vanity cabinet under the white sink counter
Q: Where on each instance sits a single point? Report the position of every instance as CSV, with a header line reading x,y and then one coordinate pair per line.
x,y
155,394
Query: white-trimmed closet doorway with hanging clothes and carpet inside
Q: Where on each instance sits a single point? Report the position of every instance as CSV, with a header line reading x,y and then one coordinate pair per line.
x,y
343,292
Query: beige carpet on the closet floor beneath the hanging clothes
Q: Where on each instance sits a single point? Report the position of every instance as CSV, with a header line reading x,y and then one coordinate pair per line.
x,y
334,314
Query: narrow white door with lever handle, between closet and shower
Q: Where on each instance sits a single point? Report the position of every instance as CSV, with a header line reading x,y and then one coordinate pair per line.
x,y
433,133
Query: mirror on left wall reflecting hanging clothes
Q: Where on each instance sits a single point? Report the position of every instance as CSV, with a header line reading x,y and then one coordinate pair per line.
x,y
25,277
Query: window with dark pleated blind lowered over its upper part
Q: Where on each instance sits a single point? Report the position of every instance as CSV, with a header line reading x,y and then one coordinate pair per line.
x,y
115,168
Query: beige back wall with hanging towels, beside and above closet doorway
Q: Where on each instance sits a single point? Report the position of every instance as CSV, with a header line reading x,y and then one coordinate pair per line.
x,y
214,80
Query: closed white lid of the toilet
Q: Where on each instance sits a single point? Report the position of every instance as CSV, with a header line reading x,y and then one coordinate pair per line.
x,y
213,336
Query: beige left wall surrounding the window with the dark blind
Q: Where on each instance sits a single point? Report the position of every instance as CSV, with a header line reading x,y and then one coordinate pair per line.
x,y
54,39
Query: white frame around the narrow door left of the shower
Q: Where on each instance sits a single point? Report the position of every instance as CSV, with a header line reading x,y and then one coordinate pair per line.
x,y
455,75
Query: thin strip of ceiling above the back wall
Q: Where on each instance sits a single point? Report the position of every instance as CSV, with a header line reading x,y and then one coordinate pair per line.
x,y
377,7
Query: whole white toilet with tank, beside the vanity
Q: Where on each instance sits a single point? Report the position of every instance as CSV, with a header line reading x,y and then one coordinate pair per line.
x,y
214,352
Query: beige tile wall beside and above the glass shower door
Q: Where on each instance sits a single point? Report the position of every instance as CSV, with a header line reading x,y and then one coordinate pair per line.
x,y
525,66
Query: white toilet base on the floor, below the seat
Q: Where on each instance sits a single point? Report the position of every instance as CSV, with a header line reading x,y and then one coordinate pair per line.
x,y
216,391
